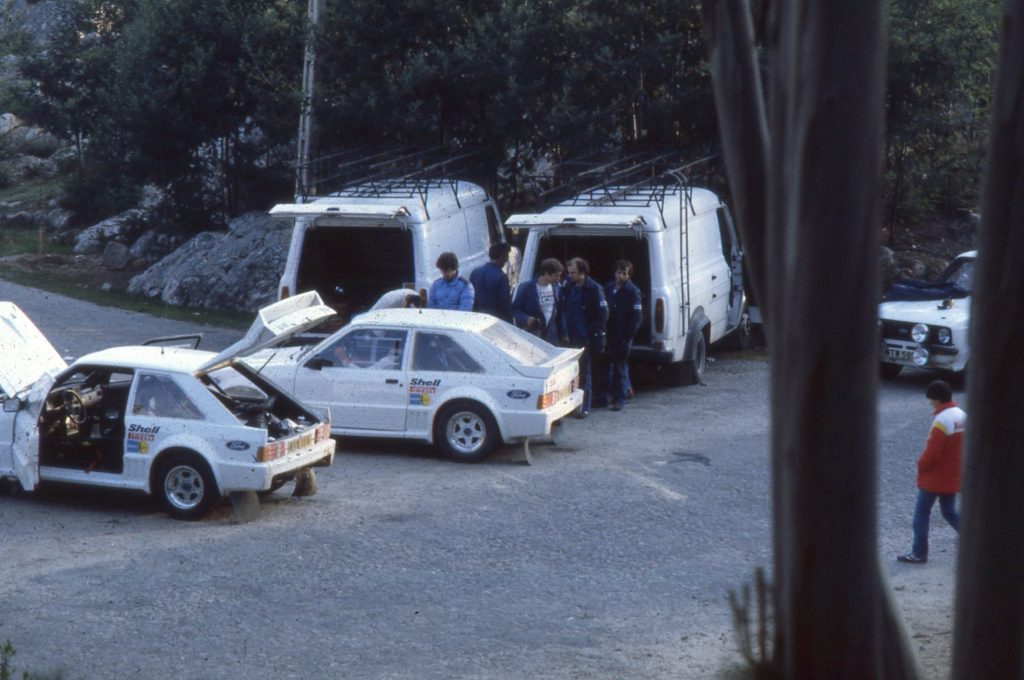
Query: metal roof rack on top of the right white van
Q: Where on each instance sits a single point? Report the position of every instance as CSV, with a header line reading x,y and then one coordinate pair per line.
x,y
638,180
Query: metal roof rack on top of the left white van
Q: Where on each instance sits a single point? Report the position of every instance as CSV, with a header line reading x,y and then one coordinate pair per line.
x,y
391,172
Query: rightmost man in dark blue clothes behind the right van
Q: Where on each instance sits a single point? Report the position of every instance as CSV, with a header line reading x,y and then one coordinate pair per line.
x,y
625,315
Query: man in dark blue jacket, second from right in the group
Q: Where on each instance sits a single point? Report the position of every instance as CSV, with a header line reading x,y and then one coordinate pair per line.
x,y
583,321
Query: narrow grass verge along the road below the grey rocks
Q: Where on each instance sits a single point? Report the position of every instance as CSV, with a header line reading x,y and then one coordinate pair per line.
x,y
47,282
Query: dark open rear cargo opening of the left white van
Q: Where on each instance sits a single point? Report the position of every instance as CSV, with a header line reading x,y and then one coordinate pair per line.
x,y
353,267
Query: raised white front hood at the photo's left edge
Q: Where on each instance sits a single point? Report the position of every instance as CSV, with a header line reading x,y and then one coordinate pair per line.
x,y
26,355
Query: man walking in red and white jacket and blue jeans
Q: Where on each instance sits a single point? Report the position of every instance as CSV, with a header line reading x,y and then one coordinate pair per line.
x,y
938,469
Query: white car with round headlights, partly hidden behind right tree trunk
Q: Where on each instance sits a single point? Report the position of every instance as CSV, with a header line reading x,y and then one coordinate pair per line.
x,y
925,325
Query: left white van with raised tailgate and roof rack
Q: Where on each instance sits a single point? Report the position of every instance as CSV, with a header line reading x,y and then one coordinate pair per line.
x,y
354,245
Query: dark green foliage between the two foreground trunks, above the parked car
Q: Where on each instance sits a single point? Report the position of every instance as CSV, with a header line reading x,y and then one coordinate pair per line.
x,y
941,64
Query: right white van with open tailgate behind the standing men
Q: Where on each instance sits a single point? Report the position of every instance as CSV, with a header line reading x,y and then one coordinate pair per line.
x,y
687,259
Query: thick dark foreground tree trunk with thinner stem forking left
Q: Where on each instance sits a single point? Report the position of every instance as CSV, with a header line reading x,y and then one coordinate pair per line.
x,y
819,247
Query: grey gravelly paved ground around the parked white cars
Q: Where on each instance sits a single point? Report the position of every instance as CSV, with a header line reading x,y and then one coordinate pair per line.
x,y
611,558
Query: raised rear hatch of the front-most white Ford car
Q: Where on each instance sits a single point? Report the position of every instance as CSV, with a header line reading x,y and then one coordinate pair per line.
x,y
275,325
